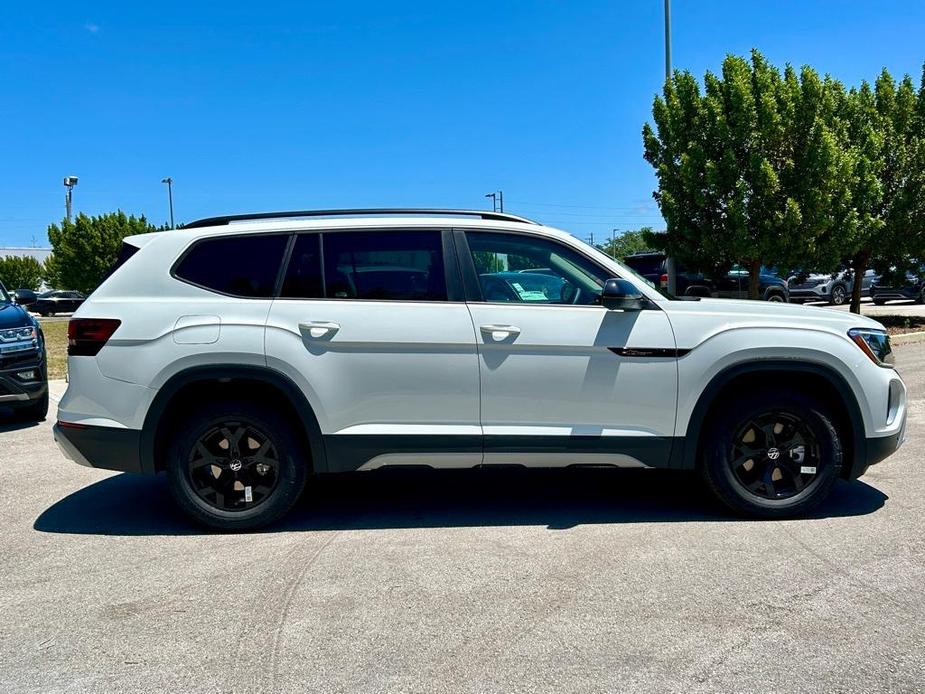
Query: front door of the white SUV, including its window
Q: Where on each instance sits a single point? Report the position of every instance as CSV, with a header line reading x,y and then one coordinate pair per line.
x,y
564,380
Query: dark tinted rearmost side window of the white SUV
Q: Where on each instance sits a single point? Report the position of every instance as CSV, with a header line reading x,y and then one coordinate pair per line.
x,y
238,265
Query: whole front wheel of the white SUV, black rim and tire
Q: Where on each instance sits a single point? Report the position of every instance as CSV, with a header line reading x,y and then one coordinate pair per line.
x,y
802,418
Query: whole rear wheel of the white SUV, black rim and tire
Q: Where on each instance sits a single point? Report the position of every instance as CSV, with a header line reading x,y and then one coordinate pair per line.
x,y
190,479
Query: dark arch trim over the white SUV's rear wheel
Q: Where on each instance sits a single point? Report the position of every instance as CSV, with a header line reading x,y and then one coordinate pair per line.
x,y
214,372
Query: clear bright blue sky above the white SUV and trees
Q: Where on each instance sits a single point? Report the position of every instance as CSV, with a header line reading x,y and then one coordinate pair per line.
x,y
280,105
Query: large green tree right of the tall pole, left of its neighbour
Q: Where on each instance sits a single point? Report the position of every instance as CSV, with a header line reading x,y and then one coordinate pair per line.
x,y
751,170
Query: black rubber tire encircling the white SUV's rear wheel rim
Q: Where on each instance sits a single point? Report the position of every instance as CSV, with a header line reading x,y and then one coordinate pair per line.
x,y
292,468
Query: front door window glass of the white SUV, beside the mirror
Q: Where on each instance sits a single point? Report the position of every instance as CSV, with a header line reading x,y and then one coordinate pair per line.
x,y
514,268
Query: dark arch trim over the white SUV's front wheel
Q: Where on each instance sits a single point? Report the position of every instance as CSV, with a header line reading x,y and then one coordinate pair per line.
x,y
687,456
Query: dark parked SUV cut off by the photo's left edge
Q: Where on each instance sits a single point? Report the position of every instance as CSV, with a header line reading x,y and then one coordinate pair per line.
x,y
23,368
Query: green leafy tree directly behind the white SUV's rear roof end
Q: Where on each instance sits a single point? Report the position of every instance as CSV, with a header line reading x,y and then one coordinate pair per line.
x,y
86,248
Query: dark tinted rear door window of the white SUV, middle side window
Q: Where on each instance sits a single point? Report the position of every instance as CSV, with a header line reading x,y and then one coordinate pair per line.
x,y
388,265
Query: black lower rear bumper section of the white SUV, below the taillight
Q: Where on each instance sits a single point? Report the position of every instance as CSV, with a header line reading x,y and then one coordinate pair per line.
x,y
107,448
